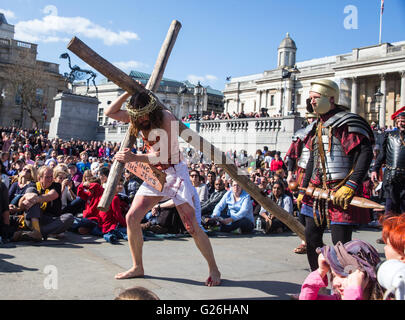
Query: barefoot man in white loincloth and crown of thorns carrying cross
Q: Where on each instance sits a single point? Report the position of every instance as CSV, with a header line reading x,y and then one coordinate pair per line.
x,y
153,123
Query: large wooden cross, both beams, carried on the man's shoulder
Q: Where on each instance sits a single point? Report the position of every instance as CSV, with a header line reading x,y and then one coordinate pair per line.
x,y
128,84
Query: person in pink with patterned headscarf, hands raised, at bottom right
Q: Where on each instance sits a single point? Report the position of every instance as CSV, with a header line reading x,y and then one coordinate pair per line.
x,y
353,273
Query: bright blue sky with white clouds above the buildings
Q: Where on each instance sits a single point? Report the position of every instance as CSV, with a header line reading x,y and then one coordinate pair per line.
x,y
218,38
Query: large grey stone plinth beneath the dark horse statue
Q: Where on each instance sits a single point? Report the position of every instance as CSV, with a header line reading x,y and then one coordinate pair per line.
x,y
75,117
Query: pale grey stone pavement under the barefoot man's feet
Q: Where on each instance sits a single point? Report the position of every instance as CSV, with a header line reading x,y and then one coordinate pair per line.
x,y
253,267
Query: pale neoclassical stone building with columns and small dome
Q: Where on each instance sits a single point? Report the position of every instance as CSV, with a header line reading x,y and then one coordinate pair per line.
x,y
359,74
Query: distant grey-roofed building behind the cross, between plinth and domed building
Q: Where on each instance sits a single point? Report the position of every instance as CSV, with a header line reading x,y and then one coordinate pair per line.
x,y
182,98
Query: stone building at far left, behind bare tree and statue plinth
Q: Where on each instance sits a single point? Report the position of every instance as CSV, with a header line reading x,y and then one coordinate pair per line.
x,y
22,75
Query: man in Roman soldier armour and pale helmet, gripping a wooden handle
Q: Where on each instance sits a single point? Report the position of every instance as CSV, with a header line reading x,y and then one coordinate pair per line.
x,y
340,145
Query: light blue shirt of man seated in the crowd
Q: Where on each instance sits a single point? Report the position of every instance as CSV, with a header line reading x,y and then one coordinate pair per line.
x,y
236,210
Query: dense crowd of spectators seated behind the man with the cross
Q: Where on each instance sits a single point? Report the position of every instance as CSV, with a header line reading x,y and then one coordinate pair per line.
x,y
53,186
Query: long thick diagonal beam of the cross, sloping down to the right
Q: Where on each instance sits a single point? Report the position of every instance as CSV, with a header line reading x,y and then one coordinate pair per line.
x,y
199,143
